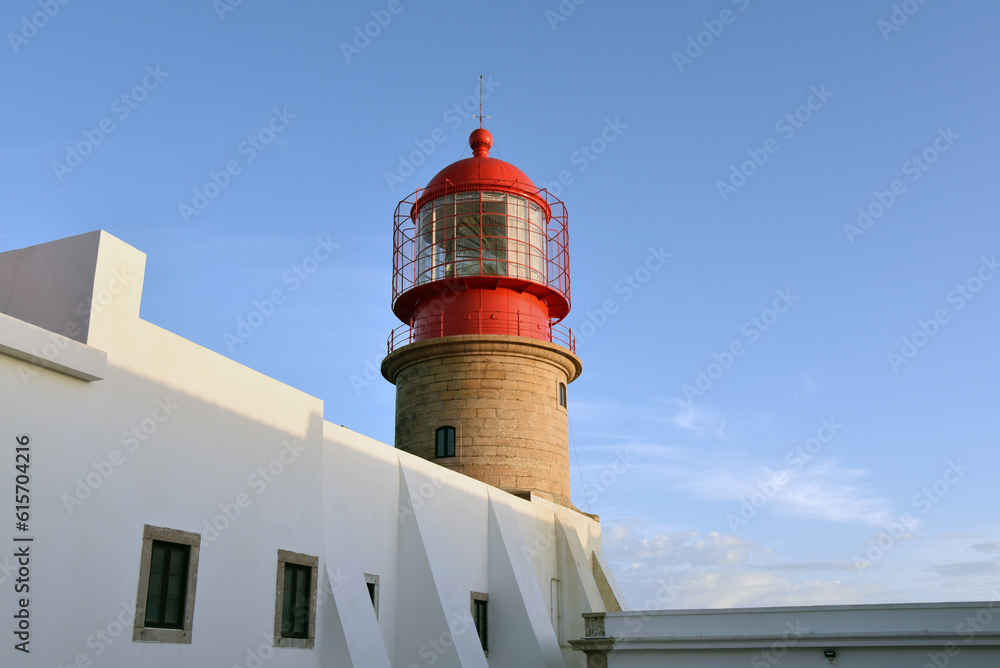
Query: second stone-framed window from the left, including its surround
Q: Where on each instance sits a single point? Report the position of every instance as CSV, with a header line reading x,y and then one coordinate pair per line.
x,y
295,600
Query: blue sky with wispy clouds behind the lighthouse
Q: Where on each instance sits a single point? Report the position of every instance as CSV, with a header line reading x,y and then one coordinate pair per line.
x,y
798,405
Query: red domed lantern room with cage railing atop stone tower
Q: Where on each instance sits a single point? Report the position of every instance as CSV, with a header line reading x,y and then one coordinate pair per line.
x,y
480,250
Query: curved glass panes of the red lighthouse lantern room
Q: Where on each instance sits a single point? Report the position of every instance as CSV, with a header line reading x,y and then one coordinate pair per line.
x,y
480,233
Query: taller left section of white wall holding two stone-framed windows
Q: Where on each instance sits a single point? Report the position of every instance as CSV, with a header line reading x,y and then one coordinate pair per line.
x,y
205,425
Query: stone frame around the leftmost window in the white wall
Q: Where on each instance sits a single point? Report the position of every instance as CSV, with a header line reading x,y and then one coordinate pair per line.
x,y
176,537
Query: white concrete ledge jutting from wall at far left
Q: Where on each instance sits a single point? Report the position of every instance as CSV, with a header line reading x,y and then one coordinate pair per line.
x,y
52,351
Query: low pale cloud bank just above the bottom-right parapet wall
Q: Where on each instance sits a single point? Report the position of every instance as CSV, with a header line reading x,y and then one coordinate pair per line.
x,y
679,568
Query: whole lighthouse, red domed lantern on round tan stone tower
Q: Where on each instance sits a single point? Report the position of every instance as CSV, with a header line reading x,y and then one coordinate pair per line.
x,y
481,366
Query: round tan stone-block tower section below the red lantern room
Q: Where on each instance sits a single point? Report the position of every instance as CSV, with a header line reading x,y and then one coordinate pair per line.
x,y
501,393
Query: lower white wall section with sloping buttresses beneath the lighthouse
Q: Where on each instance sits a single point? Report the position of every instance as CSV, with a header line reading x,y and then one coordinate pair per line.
x,y
433,537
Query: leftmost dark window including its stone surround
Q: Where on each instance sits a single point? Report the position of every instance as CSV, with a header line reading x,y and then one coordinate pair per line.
x,y
168,569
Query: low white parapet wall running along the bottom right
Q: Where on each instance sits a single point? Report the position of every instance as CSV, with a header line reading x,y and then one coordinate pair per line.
x,y
914,635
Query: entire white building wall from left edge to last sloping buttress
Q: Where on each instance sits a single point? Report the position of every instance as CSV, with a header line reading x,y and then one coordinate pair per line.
x,y
206,426
